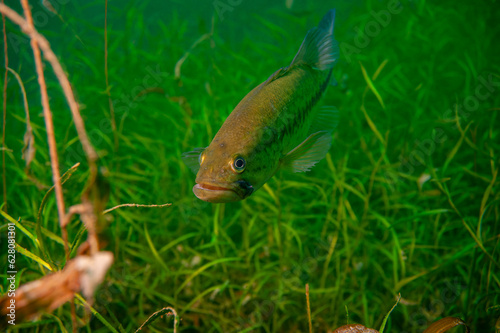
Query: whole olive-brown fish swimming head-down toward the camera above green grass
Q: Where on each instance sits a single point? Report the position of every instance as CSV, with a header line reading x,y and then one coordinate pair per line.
x,y
276,126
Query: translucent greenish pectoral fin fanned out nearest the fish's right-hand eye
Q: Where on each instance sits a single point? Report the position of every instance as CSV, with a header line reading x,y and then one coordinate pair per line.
x,y
308,153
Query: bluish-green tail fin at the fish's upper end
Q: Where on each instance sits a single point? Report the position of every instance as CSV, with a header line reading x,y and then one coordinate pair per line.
x,y
319,49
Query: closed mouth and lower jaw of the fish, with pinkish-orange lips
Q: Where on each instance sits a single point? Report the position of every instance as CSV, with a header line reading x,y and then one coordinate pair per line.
x,y
218,194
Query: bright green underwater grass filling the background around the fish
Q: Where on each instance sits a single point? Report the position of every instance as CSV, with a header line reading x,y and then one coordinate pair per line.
x,y
357,228
